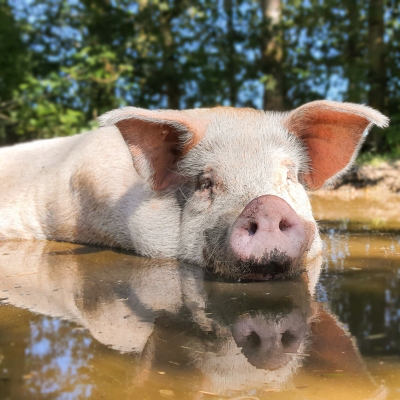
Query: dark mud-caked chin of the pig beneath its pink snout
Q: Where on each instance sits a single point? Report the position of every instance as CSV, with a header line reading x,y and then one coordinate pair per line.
x,y
275,265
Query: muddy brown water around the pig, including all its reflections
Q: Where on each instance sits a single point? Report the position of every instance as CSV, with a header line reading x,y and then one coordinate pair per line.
x,y
88,323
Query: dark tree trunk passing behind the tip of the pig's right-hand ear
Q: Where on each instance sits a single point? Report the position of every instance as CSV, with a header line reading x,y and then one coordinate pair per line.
x,y
377,70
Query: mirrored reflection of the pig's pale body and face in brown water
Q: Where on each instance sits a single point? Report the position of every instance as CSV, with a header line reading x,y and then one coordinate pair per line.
x,y
235,335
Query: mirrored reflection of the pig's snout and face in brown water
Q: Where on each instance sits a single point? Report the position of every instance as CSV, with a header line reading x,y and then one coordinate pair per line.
x,y
260,331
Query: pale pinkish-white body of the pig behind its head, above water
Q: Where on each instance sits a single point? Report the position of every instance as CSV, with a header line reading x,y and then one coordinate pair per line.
x,y
84,189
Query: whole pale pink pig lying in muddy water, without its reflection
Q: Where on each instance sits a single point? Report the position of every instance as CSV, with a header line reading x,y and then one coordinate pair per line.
x,y
224,188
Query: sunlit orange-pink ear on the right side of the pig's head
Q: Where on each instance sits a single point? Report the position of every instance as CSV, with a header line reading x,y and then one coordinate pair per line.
x,y
332,133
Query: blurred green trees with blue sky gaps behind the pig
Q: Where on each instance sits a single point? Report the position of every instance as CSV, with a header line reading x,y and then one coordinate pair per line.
x,y
65,62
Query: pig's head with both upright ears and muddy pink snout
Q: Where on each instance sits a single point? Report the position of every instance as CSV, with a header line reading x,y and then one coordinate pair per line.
x,y
240,177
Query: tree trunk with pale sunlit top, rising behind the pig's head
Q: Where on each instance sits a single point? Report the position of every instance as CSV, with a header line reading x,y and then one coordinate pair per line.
x,y
272,56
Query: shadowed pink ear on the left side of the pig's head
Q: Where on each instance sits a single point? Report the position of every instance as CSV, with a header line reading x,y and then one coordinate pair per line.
x,y
158,139
